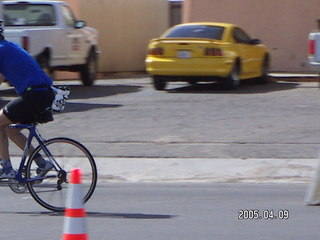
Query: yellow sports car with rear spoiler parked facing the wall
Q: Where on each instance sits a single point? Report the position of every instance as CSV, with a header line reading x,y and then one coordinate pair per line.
x,y
206,51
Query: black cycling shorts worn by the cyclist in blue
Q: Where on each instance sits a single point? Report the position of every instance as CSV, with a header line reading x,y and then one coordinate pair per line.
x,y
28,106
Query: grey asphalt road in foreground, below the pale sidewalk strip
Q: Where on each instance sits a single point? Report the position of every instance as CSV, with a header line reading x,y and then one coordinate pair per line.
x,y
173,211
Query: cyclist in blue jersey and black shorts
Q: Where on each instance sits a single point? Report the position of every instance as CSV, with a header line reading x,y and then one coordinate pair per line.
x,y
35,96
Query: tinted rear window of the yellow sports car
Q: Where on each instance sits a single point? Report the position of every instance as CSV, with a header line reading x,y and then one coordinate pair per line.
x,y
196,31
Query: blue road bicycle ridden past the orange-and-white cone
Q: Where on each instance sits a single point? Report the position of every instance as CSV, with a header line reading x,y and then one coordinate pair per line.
x,y
50,190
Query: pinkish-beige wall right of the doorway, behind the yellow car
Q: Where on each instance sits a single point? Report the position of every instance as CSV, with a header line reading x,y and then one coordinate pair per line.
x,y
283,25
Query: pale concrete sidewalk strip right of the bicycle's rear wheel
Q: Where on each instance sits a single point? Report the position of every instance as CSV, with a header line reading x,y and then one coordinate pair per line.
x,y
206,170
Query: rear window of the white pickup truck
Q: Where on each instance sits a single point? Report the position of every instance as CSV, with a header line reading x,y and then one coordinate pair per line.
x,y
29,15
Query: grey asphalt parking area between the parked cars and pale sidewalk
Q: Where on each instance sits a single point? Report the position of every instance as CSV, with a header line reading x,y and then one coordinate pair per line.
x,y
127,118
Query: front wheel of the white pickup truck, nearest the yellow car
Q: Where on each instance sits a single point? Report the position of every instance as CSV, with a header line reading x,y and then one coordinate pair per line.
x,y
88,71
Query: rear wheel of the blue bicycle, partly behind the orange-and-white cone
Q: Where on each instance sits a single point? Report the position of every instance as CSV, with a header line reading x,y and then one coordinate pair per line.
x,y
65,154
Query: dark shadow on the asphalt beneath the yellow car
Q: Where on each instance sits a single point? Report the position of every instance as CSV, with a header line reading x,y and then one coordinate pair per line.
x,y
246,87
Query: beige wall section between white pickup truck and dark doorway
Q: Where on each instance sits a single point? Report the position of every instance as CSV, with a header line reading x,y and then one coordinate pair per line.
x,y
125,28
